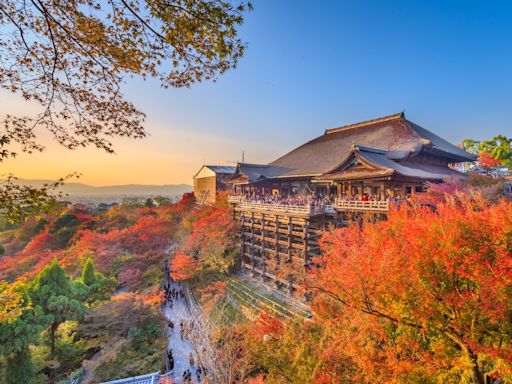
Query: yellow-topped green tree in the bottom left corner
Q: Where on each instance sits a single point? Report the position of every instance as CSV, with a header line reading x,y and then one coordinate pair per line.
x,y
20,326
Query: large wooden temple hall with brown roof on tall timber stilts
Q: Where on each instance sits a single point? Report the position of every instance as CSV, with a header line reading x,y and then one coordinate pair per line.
x,y
349,172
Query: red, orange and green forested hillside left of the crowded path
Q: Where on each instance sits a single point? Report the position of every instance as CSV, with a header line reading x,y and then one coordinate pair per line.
x,y
83,285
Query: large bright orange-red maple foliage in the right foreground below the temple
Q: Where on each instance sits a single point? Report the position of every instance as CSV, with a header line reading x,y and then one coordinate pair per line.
x,y
425,294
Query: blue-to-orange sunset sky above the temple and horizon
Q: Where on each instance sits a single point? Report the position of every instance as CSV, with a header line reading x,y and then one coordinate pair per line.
x,y
309,66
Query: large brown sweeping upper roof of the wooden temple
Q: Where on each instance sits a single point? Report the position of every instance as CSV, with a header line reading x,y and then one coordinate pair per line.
x,y
394,134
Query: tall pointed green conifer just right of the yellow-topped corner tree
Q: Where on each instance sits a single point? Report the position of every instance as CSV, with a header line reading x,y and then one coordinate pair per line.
x,y
52,293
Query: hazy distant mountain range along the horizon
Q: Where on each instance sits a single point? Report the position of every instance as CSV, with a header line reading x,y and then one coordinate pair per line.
x,y
80,189
